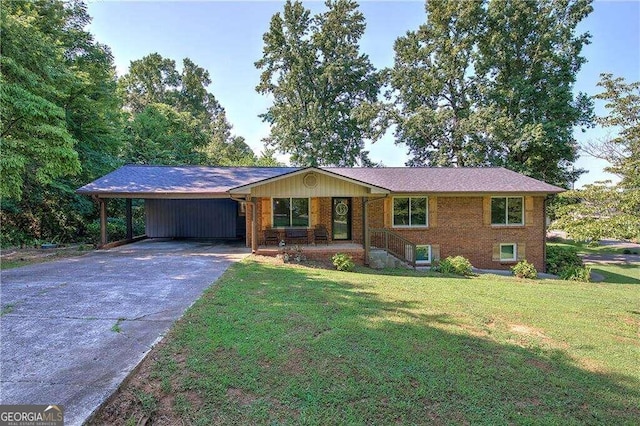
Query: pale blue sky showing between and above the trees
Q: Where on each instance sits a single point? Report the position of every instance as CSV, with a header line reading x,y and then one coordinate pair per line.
x,y
226,39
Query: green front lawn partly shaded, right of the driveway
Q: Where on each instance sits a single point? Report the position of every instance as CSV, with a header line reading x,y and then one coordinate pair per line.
x,y
272,344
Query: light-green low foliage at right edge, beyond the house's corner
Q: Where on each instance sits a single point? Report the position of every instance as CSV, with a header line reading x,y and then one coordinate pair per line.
x,y
602,211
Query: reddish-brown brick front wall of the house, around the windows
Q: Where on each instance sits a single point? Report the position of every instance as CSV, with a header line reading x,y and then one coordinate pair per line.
x,y
457,226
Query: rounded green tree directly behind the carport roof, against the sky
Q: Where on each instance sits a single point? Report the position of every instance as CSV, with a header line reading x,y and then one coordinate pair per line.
x,y
174,119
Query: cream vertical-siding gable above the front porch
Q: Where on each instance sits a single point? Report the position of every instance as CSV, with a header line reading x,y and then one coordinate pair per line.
x,y
294,186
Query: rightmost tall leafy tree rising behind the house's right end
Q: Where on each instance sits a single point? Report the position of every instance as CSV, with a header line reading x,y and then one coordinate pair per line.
x,y
530,54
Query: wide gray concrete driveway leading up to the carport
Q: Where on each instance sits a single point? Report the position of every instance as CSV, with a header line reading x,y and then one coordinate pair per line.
x,y
72,330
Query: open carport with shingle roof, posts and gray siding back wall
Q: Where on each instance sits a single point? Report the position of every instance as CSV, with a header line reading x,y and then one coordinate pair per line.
x,y
180,202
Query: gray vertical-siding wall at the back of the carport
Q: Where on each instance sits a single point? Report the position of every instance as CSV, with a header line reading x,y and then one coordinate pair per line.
x,y
191,218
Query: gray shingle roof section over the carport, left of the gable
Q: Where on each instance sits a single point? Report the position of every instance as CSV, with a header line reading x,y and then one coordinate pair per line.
x,y
137,181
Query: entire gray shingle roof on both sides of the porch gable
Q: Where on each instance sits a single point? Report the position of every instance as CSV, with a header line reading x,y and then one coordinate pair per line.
x,y
202,181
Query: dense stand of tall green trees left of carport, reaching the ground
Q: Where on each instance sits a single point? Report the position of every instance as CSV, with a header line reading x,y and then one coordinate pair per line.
x,y
61,121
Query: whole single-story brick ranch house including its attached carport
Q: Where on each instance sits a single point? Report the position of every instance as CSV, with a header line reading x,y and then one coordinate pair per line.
x,y
492,216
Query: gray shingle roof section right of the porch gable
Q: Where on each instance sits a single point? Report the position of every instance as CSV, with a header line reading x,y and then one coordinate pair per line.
x,y
447,180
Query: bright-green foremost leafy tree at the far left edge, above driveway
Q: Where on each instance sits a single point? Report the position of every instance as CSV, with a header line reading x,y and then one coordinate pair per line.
x,y
34,140
